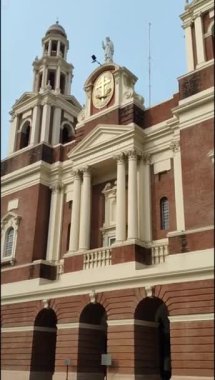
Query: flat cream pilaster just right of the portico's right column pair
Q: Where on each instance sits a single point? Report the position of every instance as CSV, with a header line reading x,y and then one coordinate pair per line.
x,y
147,217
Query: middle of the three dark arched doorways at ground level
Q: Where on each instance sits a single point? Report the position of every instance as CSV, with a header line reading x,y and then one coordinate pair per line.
x,y
92,343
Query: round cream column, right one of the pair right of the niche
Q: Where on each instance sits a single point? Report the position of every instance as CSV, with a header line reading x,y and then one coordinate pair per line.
x,y
132,195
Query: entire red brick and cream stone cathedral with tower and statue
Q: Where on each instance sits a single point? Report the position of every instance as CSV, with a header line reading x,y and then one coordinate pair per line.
x,y
107,221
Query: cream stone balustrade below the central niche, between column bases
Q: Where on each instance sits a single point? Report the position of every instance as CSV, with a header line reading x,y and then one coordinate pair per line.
x,y
95,258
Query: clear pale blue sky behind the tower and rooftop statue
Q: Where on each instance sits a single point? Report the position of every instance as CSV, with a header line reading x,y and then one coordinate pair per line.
x,y
87,23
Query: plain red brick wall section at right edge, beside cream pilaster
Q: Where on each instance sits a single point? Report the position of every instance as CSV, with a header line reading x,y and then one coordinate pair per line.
x,y
197,174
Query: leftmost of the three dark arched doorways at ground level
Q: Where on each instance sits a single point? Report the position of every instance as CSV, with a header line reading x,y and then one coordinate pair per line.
x,y
44,346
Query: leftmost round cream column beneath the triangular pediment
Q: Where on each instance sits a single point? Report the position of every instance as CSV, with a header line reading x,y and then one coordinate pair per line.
x,y
75,215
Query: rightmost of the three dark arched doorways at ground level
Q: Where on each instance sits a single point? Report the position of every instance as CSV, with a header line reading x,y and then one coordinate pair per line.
x,y
152,340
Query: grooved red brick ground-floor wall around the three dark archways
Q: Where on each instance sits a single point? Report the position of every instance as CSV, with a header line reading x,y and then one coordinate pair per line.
x,y
191,340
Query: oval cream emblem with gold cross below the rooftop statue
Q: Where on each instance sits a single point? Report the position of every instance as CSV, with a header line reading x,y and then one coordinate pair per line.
x,y
103,89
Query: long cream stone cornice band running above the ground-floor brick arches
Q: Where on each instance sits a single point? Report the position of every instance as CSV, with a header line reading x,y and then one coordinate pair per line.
x,y
73,284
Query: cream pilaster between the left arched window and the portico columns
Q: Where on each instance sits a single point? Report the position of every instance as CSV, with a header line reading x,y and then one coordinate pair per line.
x,y
55,223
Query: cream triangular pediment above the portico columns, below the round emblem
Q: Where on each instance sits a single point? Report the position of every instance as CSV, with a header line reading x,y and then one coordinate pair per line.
x,y
101,137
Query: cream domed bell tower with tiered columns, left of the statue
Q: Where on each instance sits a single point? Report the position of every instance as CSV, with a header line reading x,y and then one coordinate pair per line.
x,y
48,114
